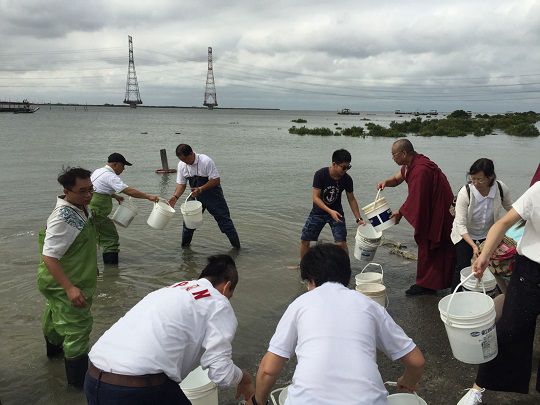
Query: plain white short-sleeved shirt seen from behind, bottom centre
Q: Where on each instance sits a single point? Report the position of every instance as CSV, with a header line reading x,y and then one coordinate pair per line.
x,y
335,333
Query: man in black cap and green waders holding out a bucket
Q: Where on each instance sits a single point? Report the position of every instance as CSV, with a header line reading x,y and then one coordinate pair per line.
x,y
107,184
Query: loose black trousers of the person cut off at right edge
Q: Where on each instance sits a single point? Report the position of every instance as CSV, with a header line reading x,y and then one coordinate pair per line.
x,y
511,370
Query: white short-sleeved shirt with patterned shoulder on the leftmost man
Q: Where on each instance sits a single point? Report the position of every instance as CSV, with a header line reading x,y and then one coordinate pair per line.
x,y
63,226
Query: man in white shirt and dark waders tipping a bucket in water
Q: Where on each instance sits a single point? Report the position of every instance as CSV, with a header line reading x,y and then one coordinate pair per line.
x,y
203,177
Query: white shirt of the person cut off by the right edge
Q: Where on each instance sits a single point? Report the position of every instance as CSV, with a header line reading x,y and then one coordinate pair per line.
x,y
528,208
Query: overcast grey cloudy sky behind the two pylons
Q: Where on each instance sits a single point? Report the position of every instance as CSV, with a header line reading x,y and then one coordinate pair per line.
x,y
309,54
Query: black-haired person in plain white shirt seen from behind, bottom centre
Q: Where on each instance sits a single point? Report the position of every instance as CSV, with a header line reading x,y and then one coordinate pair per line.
x,y
335,333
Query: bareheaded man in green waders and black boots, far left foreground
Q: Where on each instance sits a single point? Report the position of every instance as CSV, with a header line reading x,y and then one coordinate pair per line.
x,y
67,274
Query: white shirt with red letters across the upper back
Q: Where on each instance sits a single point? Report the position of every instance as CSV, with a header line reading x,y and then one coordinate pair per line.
x,y
173,330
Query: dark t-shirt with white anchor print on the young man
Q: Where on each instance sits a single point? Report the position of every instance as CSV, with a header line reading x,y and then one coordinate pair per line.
x,y
331,190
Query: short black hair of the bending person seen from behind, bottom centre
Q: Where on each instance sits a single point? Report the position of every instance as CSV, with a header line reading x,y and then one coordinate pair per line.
x,y
326,262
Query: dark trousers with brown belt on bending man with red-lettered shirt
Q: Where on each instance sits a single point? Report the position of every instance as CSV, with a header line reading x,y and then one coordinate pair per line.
x,y
100,393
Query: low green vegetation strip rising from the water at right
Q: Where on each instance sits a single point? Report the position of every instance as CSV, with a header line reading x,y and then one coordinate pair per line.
x,y
458,123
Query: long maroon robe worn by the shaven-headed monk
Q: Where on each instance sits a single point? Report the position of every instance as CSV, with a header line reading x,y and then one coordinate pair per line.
x,y
427,210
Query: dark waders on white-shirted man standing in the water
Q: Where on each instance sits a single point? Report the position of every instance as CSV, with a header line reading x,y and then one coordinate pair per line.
x,y
215,203
